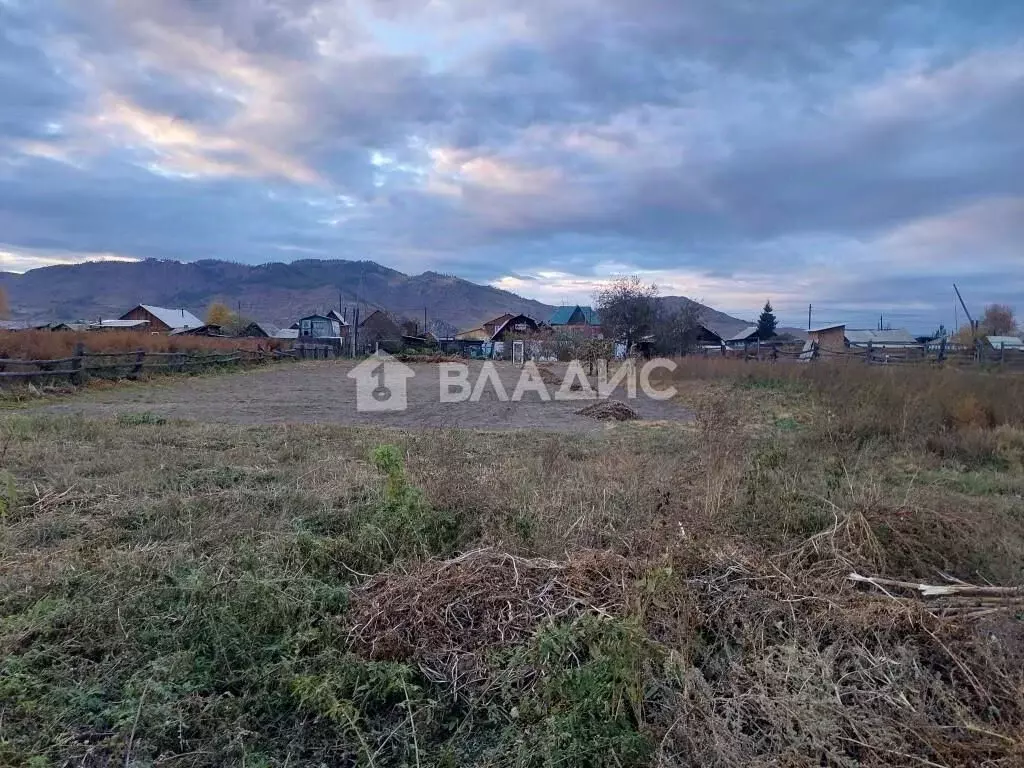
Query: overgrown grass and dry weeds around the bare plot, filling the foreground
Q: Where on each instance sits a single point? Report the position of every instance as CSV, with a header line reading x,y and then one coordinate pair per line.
x,y
186,593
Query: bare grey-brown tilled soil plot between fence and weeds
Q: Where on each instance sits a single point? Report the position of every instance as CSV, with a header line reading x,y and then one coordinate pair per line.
x,y
315,393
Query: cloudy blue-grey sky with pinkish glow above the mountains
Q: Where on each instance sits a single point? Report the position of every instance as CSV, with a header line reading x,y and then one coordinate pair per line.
x,y
861,157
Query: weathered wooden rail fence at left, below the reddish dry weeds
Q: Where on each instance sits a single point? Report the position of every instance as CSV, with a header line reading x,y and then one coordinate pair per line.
x,y
83,365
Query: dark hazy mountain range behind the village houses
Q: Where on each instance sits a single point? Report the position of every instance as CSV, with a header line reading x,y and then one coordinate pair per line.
x,y
274,293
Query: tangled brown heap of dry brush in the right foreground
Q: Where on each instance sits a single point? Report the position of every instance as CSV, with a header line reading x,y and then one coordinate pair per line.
x,y
755,662
